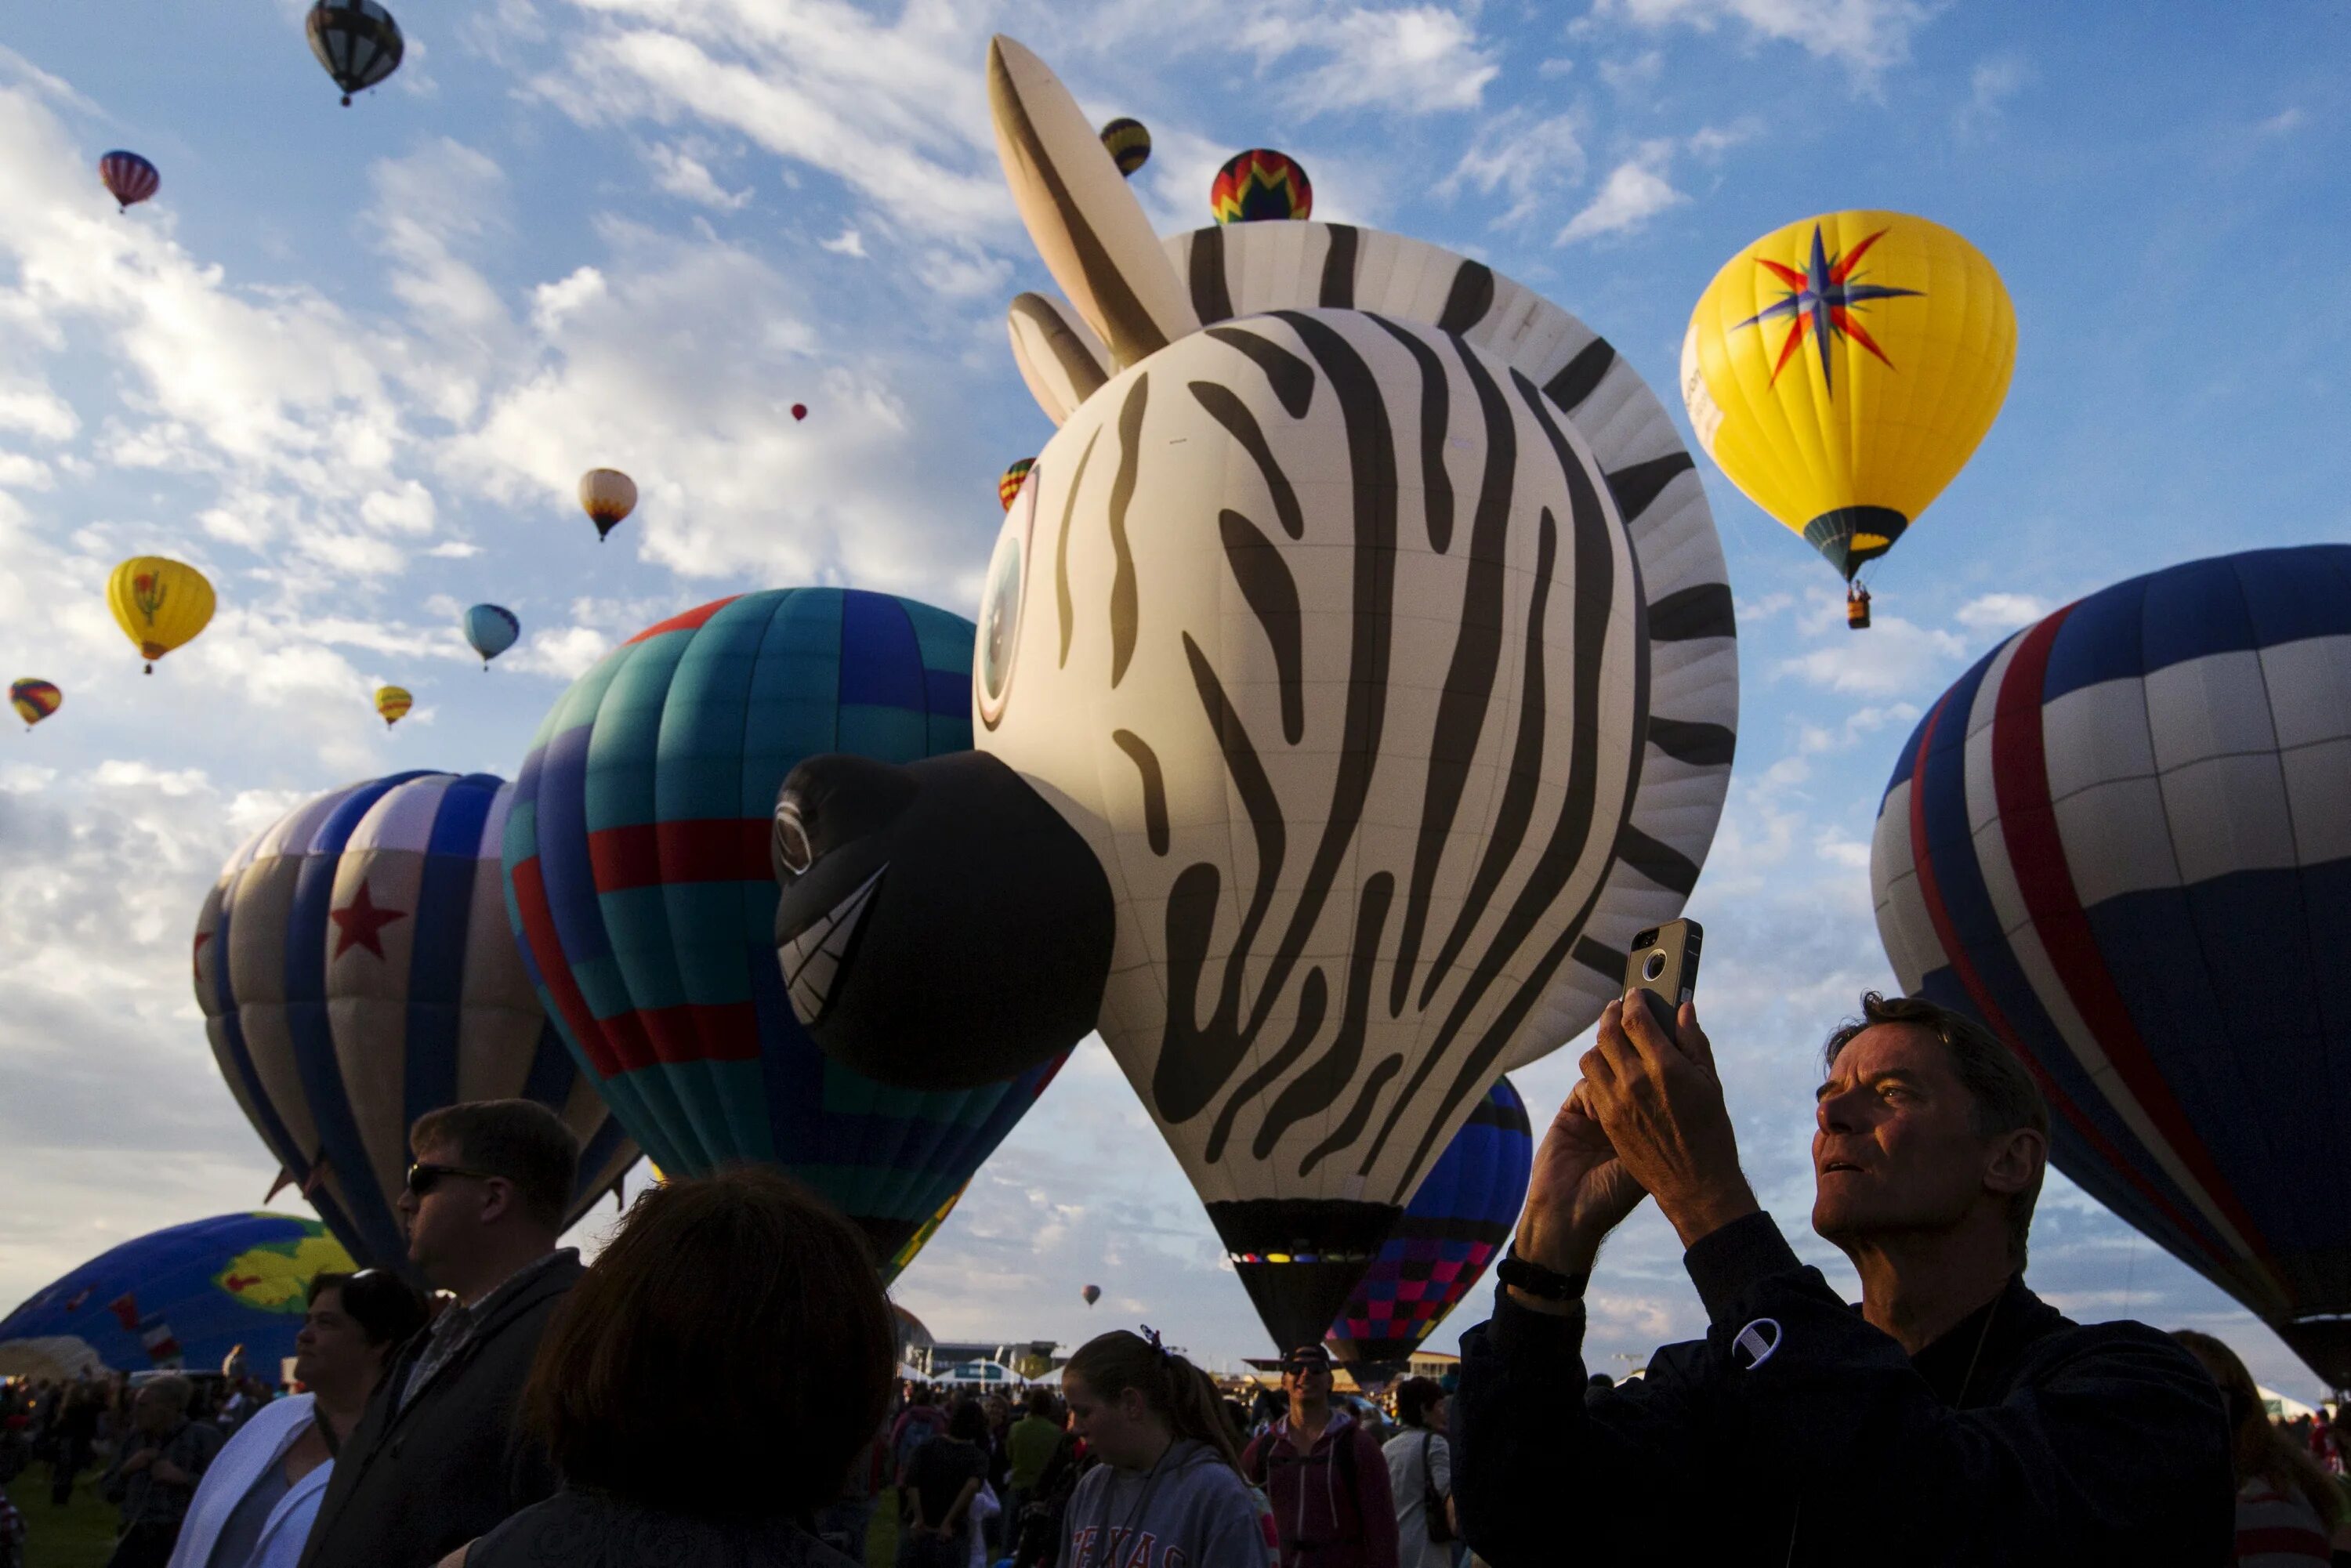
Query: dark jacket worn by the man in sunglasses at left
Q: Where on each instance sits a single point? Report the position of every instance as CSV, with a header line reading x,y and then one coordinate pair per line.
x,y
415,1485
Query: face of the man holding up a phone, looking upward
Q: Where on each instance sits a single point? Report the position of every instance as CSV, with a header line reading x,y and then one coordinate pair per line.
x,y
1894,1148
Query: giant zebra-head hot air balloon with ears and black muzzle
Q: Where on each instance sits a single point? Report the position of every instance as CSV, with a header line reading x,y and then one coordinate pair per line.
x,y
1355,678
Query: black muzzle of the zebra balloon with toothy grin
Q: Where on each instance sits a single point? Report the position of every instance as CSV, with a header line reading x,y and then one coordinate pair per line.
x,y
942,925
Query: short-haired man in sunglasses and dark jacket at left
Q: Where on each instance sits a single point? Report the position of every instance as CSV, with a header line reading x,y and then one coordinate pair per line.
x,y
438,1459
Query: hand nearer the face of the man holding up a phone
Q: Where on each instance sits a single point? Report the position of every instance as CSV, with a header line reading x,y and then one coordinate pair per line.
x,y
1661,1106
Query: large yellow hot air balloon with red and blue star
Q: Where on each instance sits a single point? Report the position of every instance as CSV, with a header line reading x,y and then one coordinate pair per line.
x,y
1842,373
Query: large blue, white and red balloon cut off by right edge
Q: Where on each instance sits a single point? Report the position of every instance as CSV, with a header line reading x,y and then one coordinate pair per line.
x,y
2124,843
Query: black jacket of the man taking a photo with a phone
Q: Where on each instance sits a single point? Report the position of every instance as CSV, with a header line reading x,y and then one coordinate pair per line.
x,y
1795,1433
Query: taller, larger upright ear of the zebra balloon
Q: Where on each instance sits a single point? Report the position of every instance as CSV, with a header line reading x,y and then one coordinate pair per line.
x,y
1087,225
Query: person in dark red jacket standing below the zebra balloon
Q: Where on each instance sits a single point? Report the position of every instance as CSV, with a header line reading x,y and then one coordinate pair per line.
x,y
1325,1475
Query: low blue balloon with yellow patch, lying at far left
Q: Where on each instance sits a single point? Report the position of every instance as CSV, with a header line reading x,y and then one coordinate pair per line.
x,y
182,1296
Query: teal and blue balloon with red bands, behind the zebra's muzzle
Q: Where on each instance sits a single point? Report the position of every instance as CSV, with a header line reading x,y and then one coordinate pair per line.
x,y
641,885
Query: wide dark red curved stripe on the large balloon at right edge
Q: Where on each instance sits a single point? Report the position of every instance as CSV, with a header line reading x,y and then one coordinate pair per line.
x,y
2021,782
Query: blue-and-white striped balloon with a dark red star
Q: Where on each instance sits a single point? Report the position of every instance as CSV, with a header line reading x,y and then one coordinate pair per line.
x,y
356,972
